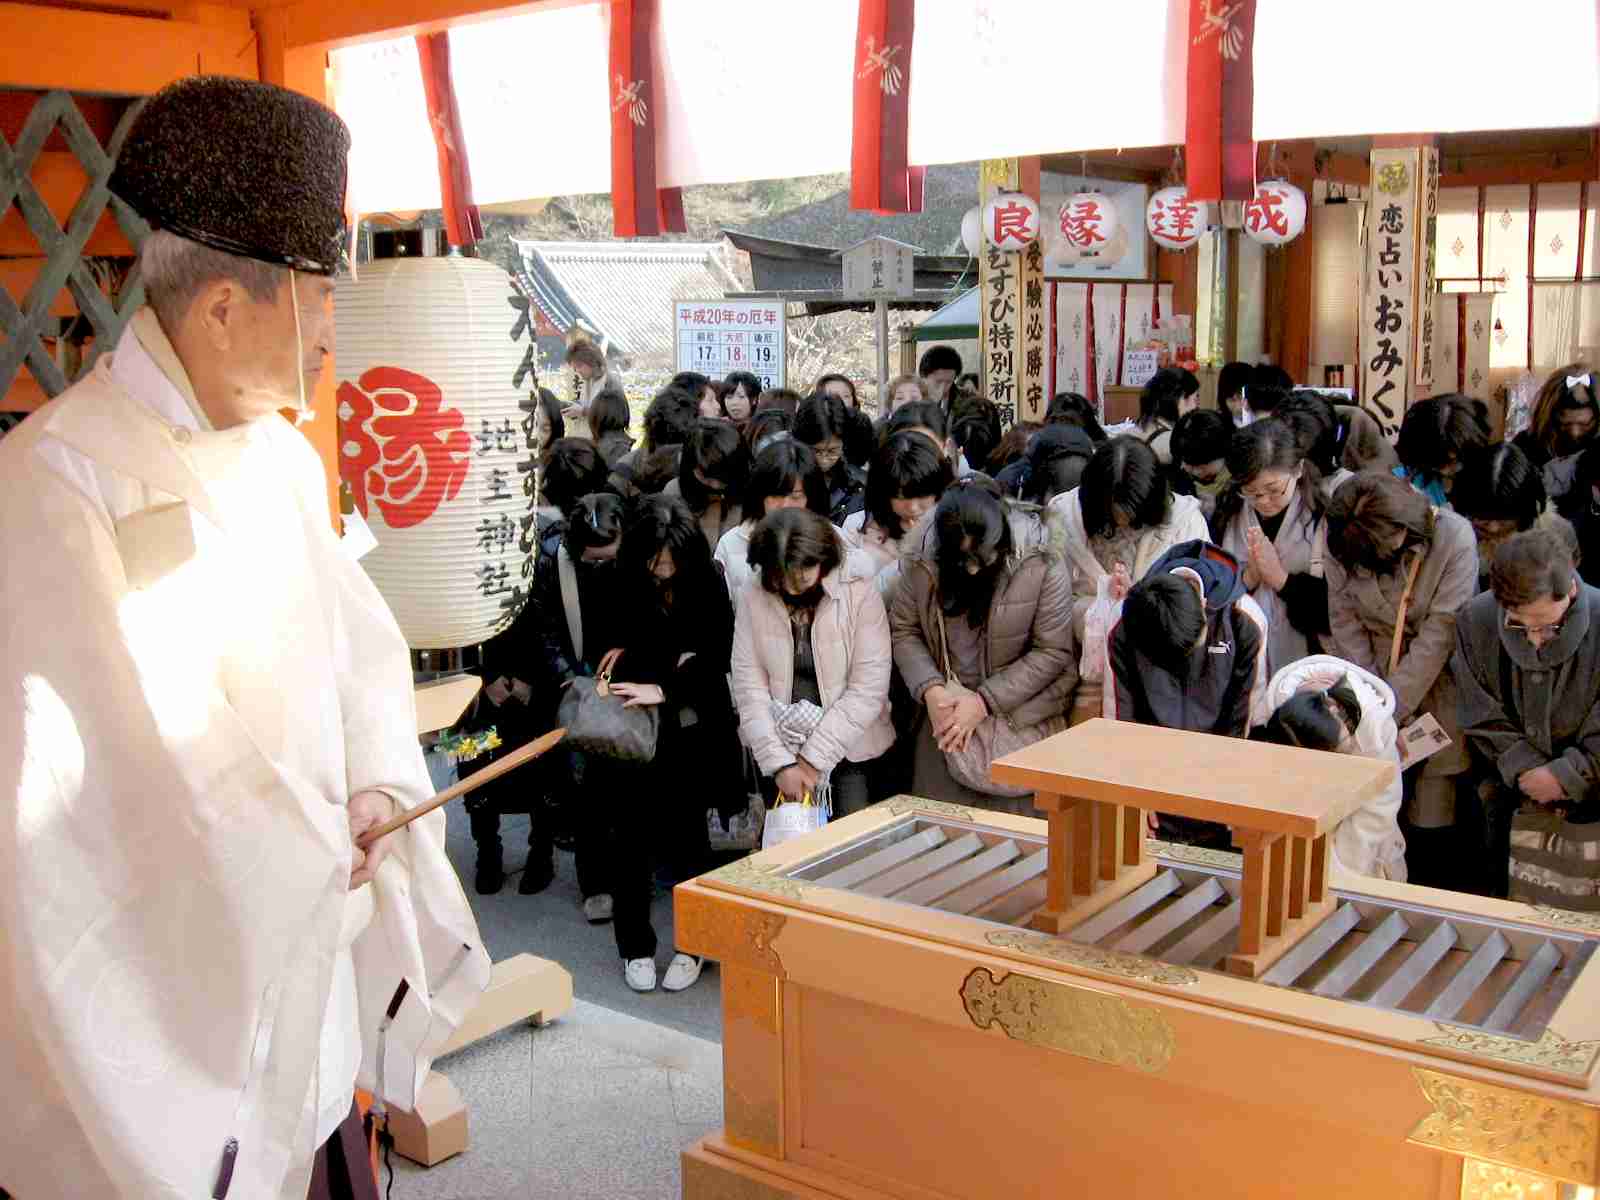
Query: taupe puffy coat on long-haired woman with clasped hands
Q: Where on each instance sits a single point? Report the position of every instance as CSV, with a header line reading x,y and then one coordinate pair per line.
x,y
1030,662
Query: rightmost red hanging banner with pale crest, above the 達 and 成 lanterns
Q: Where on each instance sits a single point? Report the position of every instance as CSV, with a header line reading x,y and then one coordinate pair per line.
x,y
1222,89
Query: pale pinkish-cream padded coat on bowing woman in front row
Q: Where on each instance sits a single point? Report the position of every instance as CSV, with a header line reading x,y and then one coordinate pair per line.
x,y
850,644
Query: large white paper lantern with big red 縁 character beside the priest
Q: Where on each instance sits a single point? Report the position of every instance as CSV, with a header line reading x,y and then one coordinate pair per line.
x,y
434,444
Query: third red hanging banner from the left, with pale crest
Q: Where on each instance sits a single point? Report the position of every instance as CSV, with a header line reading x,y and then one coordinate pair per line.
x,y
881,177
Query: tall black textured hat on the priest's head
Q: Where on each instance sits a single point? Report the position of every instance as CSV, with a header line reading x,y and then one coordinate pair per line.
x,y
242,167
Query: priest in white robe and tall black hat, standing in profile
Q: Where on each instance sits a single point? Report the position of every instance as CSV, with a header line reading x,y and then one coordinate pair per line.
x,y
209,706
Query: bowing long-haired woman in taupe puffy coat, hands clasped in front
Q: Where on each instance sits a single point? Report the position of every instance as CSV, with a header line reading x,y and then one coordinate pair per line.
x,y
988,604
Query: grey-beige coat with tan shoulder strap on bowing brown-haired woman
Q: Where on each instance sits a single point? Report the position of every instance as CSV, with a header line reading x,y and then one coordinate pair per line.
x,y
1362,615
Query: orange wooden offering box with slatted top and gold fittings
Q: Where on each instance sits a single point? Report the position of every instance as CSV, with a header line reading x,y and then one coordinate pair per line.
x,y
895,1025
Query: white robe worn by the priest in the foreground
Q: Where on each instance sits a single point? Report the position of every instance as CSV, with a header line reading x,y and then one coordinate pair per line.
x,y
198,678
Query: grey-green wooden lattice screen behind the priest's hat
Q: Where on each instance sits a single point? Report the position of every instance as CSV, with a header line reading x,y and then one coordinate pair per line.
x,y
106,292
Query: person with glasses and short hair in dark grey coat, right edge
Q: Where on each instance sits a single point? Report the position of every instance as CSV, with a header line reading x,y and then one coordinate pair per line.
x,y
1529,674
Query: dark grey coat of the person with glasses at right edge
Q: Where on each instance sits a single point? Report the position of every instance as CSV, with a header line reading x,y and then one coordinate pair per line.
x,y
1524,708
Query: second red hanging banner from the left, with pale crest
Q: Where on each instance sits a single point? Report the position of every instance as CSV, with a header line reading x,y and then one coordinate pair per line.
x,y
638,206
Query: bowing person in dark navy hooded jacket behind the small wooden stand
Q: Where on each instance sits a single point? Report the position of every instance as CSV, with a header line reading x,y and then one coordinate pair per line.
x,y
1190,654
